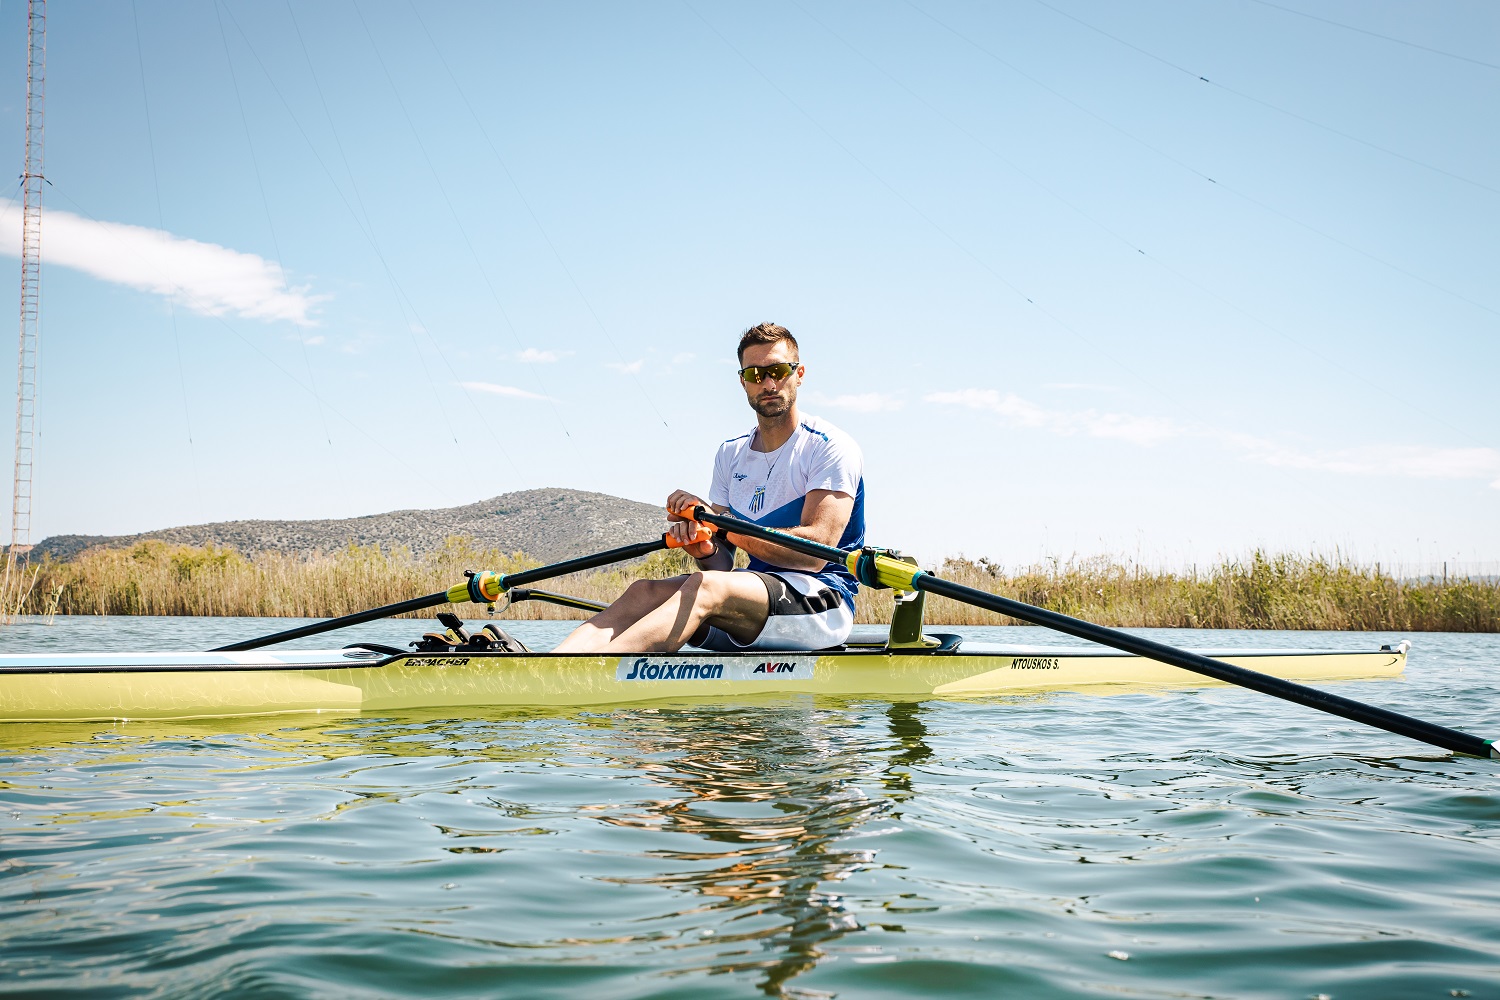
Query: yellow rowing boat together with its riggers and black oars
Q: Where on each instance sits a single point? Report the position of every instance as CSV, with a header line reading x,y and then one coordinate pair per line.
x,y
488,669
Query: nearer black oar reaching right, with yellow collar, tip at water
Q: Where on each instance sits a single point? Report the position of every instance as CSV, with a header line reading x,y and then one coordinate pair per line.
x,y
875,567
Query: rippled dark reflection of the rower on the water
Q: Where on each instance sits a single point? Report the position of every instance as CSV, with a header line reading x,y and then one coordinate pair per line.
x,y
773,794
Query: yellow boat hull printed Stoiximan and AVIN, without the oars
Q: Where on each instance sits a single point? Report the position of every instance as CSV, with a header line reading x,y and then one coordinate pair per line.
x,y
257,683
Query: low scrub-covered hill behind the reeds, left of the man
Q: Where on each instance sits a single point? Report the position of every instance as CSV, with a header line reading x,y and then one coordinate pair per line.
x,y
547,524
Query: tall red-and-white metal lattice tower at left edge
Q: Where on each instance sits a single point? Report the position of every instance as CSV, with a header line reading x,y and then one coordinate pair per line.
x,y
31,280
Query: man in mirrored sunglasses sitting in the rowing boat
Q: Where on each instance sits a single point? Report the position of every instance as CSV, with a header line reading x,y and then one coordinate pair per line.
x,y
796,473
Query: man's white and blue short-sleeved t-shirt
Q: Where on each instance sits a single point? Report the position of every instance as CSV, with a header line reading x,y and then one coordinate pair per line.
x,y
770,488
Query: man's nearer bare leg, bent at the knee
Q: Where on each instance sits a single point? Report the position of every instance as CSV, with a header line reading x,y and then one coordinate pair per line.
x,y
733,602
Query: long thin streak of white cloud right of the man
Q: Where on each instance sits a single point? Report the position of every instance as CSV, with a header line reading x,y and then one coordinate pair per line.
x,y
1391,460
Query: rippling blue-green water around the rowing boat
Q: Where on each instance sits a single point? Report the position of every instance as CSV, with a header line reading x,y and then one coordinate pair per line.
x,y
1199,843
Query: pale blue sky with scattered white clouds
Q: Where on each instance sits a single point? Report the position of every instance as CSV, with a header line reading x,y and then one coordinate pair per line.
x,y
1162,281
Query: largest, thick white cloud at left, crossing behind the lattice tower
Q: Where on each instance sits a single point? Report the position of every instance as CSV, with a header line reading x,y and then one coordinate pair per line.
x,y
205,278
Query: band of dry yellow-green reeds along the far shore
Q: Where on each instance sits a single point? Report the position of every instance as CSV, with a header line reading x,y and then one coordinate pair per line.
x,y
1259,591
